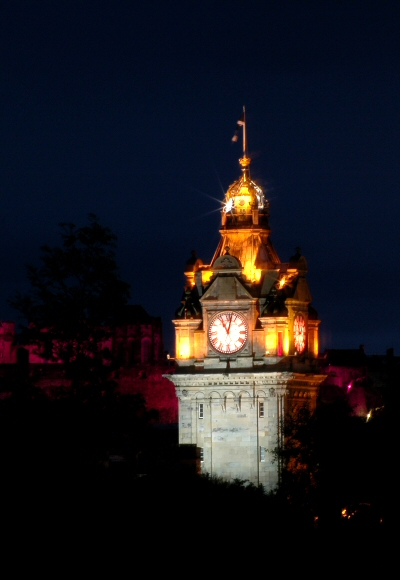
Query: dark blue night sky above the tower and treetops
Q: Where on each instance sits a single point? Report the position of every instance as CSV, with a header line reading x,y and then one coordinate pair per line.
x,y
126,109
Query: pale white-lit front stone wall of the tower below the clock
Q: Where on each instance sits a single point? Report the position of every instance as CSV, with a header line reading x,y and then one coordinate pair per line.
x,y
223,416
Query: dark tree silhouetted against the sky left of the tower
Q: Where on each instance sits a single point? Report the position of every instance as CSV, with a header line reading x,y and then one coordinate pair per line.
x,y
75,297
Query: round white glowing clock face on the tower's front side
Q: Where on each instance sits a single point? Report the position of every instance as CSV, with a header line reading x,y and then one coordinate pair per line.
x,y
228,332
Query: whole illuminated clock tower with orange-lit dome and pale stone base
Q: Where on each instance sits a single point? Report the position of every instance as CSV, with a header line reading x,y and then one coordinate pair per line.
x,y
246,342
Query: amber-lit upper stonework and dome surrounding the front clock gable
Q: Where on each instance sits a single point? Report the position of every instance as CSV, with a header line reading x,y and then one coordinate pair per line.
x,y
281,289
